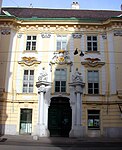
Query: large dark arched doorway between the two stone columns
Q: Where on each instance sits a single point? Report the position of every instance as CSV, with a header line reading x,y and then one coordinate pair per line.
x,y
59,117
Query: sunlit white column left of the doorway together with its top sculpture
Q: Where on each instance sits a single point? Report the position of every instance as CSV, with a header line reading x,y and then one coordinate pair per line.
x,y
41,129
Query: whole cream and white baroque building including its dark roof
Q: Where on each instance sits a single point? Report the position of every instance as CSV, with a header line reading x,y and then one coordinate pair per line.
x,y
61,72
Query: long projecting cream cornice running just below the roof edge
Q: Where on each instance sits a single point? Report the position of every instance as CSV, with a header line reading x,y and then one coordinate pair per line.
x,y
84,22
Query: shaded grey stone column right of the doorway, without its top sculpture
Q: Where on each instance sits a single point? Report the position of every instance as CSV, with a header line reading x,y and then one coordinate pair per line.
x,y
76,96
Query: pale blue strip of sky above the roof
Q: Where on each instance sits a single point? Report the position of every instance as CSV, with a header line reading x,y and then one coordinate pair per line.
x,y
66,4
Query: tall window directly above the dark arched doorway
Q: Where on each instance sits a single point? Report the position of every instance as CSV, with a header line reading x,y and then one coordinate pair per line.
x,y
60,80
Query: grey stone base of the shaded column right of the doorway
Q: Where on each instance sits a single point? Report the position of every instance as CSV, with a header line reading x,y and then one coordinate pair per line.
x,y
77,131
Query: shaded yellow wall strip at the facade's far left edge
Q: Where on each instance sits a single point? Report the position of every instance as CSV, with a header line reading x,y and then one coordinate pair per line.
x,y
6,41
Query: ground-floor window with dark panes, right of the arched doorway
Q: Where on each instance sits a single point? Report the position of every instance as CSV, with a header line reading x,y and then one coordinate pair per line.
x,y
93,119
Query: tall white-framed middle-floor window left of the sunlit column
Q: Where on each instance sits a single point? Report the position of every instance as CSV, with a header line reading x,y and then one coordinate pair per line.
x,y
28,81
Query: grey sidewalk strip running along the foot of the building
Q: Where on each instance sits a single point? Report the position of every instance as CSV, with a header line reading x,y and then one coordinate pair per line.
x,y
57,140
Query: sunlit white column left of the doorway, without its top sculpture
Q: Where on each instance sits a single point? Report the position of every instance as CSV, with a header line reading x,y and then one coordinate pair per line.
x,y
41,127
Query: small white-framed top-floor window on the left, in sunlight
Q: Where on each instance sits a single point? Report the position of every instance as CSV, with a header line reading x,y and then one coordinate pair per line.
x,y
31,43
